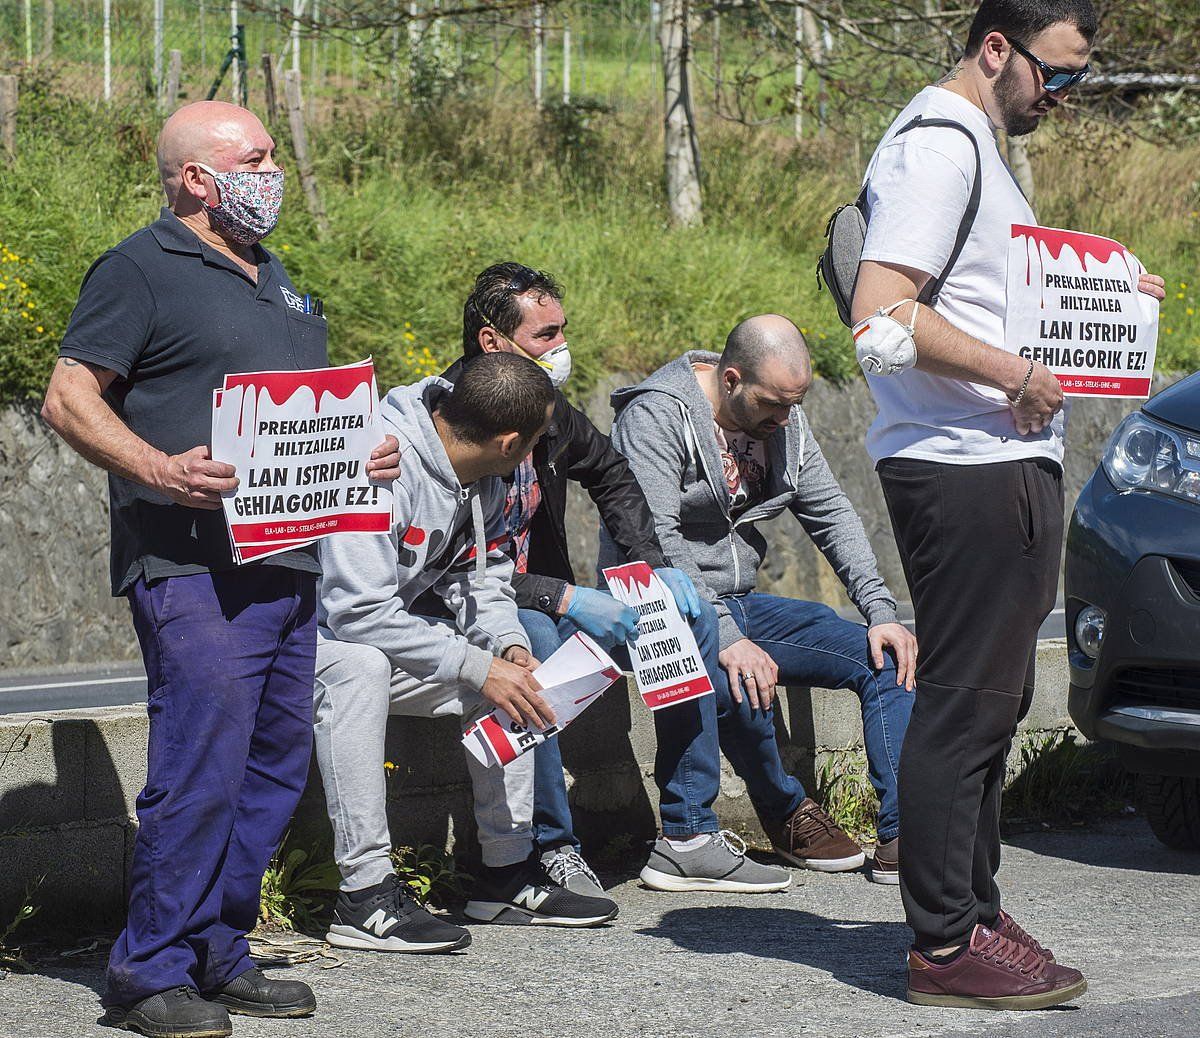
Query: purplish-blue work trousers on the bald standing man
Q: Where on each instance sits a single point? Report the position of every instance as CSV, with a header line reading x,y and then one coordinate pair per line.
x,y
230,661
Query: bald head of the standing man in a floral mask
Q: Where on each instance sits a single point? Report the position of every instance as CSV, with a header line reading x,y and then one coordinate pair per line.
x,y
214,133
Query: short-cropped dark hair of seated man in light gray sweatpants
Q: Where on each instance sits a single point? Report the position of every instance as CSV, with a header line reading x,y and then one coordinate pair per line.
x,y
497,394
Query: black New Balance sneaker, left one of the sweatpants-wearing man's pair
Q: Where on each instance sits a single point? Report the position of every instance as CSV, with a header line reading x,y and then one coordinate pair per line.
x,y
387,919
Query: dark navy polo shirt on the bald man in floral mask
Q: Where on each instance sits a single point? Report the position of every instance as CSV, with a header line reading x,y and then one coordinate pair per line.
x,y
171,316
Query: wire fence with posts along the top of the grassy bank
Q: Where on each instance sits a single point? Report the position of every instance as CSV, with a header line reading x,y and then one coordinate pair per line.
x,y
802,65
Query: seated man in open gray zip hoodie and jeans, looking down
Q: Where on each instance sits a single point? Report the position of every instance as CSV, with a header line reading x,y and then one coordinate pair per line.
x,y
719,445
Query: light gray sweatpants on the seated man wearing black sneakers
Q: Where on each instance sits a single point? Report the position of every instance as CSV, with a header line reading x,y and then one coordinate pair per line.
x,y
357,688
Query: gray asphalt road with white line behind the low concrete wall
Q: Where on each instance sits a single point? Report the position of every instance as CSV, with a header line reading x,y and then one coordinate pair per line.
x,y
118,685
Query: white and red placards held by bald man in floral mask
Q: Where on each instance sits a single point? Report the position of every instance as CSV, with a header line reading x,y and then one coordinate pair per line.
x,y
299,442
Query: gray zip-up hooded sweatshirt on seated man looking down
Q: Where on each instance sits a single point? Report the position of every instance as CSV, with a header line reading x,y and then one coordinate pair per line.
x,y
665,428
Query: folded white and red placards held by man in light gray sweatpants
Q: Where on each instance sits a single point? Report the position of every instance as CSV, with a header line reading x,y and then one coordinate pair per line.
x,y
573,679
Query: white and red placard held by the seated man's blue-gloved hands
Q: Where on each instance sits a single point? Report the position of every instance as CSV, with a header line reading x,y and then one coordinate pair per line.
x,y
667,661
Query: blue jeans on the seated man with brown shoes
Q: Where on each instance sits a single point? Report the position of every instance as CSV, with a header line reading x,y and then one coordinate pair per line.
x,y
813,646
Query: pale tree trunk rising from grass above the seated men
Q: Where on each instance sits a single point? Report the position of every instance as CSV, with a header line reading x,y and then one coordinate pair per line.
x,y
682,151
